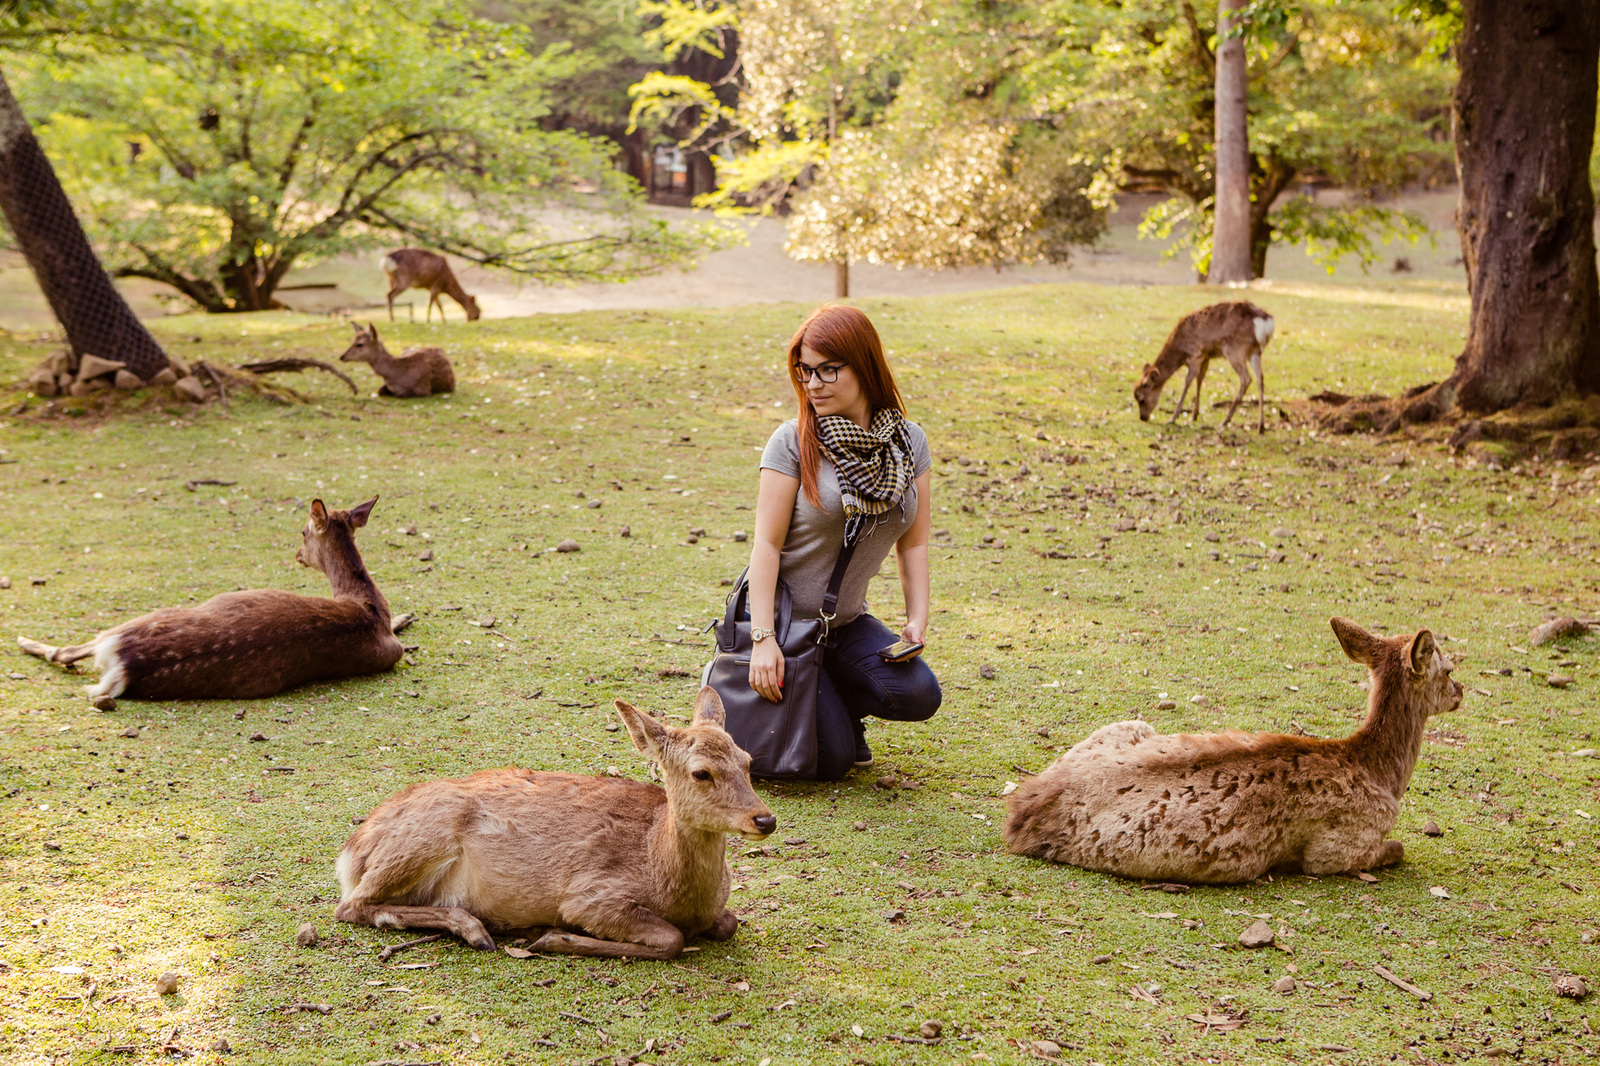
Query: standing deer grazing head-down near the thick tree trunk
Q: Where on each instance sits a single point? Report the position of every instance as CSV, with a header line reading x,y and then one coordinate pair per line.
x,y
1238,332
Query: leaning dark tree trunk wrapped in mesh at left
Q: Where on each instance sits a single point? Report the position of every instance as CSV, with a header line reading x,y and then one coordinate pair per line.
x,y
92,311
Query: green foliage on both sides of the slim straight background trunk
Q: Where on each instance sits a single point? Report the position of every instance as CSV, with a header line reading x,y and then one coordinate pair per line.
x,y
1340,92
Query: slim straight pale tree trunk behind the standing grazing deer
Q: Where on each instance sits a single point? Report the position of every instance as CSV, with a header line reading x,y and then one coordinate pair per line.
x,y
1231,212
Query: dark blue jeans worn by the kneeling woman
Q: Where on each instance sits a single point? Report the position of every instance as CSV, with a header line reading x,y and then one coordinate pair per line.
x,y
857,684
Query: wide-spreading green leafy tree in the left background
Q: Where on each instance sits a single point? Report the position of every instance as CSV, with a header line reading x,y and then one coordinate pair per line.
x,y
217,143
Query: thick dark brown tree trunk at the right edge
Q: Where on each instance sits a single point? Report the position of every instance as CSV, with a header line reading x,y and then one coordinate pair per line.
x,y
1524,124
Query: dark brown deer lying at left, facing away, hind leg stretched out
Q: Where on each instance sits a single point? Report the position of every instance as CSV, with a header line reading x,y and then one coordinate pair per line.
x,y
254,644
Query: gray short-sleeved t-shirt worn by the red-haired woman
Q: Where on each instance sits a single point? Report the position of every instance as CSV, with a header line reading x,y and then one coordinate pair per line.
x,y
817,534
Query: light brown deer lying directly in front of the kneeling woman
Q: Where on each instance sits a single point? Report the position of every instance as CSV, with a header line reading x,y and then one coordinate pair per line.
x,y
590,867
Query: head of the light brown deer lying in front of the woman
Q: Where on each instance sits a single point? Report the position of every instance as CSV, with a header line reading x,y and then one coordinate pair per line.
x,y
706,775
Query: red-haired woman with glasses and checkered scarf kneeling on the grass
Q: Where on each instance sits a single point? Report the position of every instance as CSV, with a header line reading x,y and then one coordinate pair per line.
x,y
850,470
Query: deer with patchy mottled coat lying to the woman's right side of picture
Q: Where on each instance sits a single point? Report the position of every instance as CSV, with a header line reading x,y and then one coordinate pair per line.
x,y
1231,808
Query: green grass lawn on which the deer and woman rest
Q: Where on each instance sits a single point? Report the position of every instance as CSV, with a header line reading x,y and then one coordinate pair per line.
x,y
159,838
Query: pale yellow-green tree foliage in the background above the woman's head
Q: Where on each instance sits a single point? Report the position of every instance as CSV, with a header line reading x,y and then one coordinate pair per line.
x,y
849,116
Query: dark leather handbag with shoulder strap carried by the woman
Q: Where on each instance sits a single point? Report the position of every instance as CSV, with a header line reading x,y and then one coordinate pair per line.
x,y
780,737
